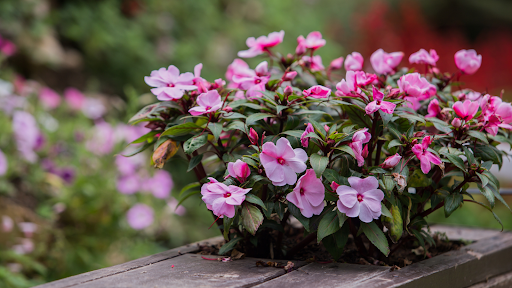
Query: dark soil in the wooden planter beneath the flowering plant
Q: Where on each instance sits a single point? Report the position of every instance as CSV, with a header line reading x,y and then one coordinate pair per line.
x,y
407,253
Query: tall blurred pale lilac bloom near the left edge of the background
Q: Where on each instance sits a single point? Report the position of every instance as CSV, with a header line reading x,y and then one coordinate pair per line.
x,y
26,133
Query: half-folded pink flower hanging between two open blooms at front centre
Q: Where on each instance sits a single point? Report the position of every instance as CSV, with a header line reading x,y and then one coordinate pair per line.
x,y
308,195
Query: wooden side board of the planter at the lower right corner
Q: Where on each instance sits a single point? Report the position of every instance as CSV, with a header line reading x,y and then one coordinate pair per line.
x,y
469,265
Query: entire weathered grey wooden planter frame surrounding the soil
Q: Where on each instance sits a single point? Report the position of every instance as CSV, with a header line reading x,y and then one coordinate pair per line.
x,y
483,260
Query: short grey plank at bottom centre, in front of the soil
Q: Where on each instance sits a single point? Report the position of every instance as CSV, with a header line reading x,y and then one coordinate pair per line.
x,y
327,275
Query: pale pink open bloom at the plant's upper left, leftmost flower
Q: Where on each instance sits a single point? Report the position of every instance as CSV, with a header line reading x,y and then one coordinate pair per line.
x,y
169,83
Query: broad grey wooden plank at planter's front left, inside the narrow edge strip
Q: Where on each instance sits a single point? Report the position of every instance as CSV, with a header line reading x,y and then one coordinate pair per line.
x,y
190,270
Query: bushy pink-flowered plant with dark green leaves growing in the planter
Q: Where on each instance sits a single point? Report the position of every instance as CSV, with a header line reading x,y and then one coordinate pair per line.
x,y
372,154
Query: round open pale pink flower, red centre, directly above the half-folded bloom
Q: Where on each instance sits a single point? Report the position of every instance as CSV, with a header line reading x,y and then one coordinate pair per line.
x,y
282,162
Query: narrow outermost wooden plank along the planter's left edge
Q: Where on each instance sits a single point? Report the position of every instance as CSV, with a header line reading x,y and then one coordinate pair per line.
x,y
121,268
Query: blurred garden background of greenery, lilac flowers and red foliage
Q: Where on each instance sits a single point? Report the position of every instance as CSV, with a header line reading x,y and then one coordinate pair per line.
x,y
72,73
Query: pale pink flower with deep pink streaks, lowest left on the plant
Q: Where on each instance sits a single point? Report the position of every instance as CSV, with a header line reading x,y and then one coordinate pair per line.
x,y
222,199
